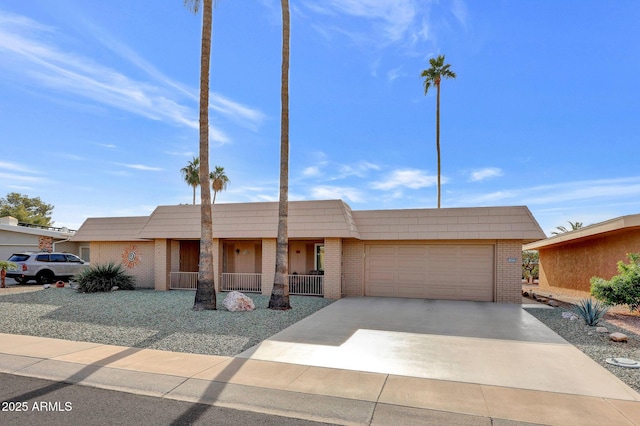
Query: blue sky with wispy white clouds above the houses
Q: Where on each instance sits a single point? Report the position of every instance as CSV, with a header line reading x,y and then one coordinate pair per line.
x,y
99,104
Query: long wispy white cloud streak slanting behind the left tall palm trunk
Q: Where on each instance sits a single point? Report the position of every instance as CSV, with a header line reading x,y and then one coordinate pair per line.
x,y
26,52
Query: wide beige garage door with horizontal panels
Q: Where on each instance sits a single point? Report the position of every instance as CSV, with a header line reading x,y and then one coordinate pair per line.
x,y
452,272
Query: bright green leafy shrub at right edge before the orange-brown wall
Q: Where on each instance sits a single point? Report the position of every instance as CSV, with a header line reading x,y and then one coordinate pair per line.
x,y
622,289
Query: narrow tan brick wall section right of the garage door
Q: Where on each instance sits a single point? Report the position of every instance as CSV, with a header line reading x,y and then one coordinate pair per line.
x,y
508,274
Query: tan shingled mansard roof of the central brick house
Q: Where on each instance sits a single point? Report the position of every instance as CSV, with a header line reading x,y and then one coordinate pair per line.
x,y
320,219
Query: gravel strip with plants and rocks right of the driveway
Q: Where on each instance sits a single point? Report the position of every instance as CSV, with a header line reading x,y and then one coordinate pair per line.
x,y
598,346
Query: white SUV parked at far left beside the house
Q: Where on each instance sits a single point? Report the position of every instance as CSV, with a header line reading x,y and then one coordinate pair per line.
x,y
45,268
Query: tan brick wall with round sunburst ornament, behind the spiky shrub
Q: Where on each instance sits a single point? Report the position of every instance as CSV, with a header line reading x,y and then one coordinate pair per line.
x,y
143,267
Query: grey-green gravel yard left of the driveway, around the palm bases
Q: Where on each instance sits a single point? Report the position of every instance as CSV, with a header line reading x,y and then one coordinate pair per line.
x,y
146,319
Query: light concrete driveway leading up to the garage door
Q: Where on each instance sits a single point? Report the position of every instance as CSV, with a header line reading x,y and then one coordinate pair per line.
x,y
471,342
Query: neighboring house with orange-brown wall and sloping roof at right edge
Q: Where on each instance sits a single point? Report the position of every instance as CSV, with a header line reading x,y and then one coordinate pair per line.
x,y
570,259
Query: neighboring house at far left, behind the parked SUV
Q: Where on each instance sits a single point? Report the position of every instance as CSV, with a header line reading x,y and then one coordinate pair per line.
x,y
17,237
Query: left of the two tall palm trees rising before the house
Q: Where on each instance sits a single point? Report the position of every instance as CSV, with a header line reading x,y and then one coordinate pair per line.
x,y
205,291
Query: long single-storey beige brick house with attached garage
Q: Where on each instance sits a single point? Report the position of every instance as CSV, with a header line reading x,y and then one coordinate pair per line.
x,y
449,253
